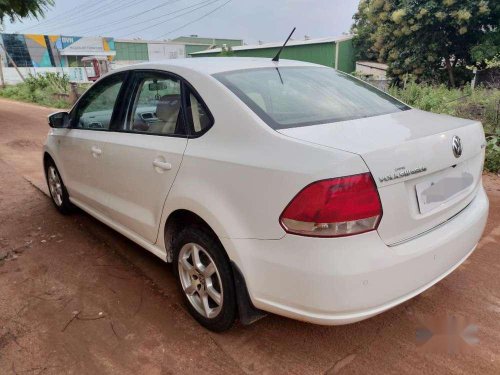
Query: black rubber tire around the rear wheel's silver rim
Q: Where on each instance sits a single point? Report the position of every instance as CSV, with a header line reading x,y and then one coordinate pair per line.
x,y
228,310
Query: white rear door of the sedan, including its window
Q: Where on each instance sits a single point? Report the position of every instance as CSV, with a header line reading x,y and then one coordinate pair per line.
x,y
145,151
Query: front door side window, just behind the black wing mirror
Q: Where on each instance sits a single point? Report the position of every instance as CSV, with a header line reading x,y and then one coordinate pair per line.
x,y
95,109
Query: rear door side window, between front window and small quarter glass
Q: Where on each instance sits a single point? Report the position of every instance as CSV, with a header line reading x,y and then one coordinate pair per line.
x,y
157,106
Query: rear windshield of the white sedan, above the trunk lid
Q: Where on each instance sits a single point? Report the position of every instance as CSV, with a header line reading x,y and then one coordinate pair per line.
x,y
290,97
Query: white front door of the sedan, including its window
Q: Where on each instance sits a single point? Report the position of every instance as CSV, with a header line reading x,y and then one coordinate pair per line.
x,y
83,146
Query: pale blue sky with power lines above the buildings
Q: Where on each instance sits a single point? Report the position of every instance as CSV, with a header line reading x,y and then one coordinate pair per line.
x,y
250,20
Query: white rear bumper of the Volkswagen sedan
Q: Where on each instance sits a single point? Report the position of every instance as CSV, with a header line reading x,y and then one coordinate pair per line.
x,y
344,280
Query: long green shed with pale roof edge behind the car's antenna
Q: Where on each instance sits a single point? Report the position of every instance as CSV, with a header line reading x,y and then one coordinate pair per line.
x,y
335,52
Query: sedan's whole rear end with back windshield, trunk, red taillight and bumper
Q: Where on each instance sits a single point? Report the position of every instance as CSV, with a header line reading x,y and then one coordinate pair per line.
x,y
356,245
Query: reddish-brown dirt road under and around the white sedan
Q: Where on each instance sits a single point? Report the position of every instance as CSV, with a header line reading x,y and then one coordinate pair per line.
x,y
76,297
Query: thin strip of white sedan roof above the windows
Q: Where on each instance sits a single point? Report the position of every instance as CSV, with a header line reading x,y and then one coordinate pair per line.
x,y
212,65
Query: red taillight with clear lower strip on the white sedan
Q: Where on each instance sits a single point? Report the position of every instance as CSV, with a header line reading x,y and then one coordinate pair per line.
x,y
335,207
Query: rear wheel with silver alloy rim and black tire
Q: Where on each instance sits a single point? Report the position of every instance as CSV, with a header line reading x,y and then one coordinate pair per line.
x,y
205,278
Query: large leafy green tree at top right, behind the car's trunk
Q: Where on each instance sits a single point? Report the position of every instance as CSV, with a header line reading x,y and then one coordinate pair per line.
x,y
426,37
